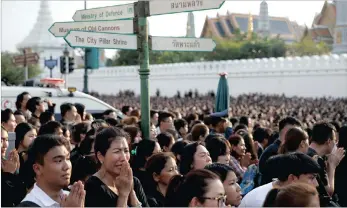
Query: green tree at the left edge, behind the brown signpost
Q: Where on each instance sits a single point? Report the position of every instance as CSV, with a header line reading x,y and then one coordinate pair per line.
x,y
15,74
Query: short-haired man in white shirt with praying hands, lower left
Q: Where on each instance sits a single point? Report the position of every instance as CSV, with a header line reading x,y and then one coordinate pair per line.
x,y
49,157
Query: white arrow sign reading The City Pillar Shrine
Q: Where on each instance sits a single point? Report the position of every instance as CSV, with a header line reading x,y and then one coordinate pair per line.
x,y
83,39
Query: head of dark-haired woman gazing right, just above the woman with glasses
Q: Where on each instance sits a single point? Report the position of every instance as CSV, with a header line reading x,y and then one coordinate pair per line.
x,y
194,156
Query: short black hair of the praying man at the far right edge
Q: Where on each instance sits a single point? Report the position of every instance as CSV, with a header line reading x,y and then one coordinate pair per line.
x,y
322,132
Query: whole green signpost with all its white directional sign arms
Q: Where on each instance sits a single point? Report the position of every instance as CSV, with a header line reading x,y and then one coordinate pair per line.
x,y
83,33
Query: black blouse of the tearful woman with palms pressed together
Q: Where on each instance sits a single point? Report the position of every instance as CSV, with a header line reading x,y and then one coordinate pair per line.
x,y
99,194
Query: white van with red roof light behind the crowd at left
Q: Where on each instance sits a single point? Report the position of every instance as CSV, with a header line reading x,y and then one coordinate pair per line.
x,y
58,96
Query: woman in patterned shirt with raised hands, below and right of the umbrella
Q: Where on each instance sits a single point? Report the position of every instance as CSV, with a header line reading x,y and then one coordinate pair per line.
x,y
238,155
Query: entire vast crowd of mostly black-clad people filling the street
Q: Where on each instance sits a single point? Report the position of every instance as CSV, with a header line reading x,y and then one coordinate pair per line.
x,y
263,151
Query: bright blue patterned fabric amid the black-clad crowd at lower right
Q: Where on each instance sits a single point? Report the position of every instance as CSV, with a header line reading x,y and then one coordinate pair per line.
x,y
250,179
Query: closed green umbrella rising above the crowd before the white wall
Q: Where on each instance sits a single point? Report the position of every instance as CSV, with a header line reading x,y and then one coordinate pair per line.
x,y
222,98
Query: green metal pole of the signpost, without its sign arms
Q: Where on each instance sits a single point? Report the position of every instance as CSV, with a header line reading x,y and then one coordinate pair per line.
x,y
142,13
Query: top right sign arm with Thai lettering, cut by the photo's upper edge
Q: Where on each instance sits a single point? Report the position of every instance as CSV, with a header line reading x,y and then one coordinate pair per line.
x,y
175,6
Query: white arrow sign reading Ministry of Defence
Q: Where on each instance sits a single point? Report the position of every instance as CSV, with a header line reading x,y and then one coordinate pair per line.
x,y
105,13
